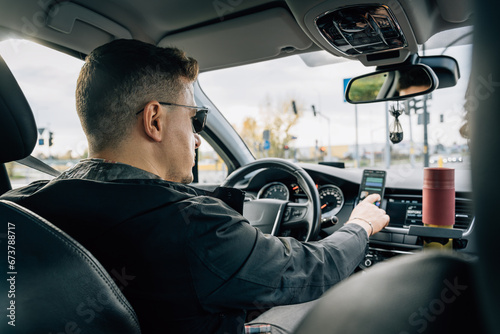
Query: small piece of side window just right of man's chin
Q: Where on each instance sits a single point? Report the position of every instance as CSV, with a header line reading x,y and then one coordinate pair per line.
x,y
211,167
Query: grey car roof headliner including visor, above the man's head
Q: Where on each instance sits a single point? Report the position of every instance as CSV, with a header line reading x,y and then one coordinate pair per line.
x,y
219,33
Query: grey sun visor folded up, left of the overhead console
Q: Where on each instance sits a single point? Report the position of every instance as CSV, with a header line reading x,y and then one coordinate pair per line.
x,y
232,42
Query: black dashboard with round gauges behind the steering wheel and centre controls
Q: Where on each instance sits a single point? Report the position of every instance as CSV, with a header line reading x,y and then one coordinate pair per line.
x,y
338,190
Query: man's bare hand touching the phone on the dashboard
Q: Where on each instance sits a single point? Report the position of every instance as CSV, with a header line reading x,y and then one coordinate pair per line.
x,y
369,216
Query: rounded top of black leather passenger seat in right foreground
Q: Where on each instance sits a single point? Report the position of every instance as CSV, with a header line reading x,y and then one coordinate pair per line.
x,y
433,292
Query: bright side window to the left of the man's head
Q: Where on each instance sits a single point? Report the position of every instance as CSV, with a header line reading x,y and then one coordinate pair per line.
x,y
48,80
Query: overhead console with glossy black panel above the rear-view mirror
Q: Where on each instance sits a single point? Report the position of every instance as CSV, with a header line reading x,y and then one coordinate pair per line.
x,y
375,34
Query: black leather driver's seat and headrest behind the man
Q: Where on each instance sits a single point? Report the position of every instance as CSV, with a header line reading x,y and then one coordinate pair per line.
x,y
54,285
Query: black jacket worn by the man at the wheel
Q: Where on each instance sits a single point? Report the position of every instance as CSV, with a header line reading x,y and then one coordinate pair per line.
x,y
186,261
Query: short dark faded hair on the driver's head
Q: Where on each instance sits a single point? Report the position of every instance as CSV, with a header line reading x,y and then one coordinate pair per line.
x,y
120,78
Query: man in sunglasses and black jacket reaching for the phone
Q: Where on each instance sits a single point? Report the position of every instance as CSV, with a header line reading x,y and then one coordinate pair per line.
x,y
190,263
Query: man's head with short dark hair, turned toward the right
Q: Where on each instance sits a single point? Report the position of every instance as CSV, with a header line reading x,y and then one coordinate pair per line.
x,y
123,77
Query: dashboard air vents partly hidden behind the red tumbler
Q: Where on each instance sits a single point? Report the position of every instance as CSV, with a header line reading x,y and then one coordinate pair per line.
x,y
406,210
